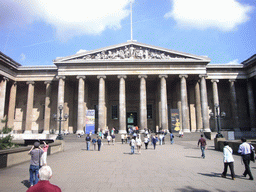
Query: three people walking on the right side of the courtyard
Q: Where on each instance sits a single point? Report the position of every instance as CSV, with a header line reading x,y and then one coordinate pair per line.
x,y
245,150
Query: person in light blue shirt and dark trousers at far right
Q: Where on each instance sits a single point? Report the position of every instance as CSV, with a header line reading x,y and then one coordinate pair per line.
x,y
245,150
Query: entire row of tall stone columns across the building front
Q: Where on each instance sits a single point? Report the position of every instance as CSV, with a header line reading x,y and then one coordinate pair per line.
x,y
202,113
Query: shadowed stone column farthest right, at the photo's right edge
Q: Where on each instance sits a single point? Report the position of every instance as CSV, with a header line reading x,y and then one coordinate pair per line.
x,y
251,104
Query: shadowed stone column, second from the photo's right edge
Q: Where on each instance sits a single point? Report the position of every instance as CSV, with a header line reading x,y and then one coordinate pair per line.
x,y
234,104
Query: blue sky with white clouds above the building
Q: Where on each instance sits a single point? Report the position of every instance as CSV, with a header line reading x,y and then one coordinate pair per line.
x,y
34,32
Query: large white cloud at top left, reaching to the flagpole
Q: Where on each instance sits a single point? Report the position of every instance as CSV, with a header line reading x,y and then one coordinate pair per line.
x,y
68,18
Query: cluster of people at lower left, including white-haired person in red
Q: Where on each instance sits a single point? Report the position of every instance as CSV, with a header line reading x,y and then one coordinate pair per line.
x,y
39,171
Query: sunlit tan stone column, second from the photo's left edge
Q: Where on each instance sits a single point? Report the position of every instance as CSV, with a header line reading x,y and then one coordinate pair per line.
x,y
12,103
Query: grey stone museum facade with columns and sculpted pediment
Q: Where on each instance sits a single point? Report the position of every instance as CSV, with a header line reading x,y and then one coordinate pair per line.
x,y
129,84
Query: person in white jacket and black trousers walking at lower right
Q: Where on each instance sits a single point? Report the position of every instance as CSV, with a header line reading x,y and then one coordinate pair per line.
x,y
228,161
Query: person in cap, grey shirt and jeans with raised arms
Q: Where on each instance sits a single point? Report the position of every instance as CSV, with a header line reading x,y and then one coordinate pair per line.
x,y
36,152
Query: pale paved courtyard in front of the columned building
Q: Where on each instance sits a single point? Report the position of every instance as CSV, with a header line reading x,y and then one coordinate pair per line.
x,y
176,167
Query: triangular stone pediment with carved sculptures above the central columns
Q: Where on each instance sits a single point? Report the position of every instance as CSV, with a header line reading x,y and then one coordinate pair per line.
x,y
131,51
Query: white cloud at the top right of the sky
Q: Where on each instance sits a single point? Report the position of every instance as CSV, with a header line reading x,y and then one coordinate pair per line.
x,y
224,15
